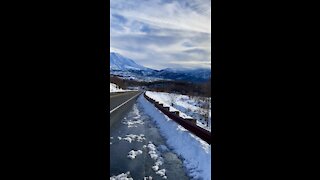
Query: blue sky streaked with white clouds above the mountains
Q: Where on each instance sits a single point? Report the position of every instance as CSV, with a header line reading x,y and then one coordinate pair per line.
x,y
162,33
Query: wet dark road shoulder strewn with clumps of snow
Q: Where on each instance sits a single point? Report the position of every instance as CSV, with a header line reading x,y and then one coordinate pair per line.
x,y
136,146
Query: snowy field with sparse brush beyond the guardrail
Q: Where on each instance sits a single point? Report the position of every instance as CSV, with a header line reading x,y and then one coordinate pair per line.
x,y
189,106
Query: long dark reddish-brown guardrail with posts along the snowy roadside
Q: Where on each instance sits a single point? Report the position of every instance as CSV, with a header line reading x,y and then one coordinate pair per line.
x,y
189,124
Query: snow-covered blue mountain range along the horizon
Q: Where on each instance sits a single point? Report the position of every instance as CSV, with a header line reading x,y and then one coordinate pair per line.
x,y
129,69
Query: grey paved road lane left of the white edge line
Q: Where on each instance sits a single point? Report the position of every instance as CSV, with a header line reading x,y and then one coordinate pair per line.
x,y
117,99
